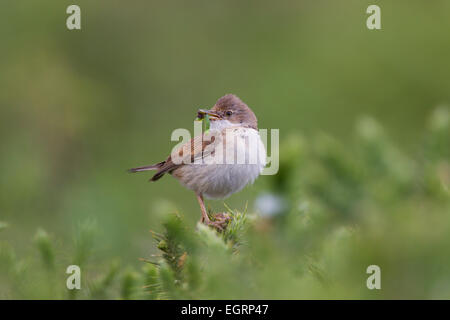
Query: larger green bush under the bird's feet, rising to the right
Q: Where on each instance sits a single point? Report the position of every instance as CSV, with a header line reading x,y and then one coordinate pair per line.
x,y
347,210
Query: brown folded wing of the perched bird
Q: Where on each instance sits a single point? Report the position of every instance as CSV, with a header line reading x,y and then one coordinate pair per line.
x,y
192,151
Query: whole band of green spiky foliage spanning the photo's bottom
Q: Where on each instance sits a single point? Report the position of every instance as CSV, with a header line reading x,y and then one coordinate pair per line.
x,y
332,211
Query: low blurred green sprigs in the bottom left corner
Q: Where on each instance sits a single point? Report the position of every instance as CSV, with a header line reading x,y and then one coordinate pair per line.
x,y
42,275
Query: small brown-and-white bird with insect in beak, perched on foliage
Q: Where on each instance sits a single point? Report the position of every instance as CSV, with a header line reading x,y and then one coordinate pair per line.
x,y
219,162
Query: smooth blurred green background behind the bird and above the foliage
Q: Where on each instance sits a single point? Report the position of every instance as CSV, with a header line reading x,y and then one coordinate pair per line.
x,y
78,108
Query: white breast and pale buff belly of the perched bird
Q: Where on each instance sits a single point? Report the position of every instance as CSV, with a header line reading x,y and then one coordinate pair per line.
x,y
220,179
